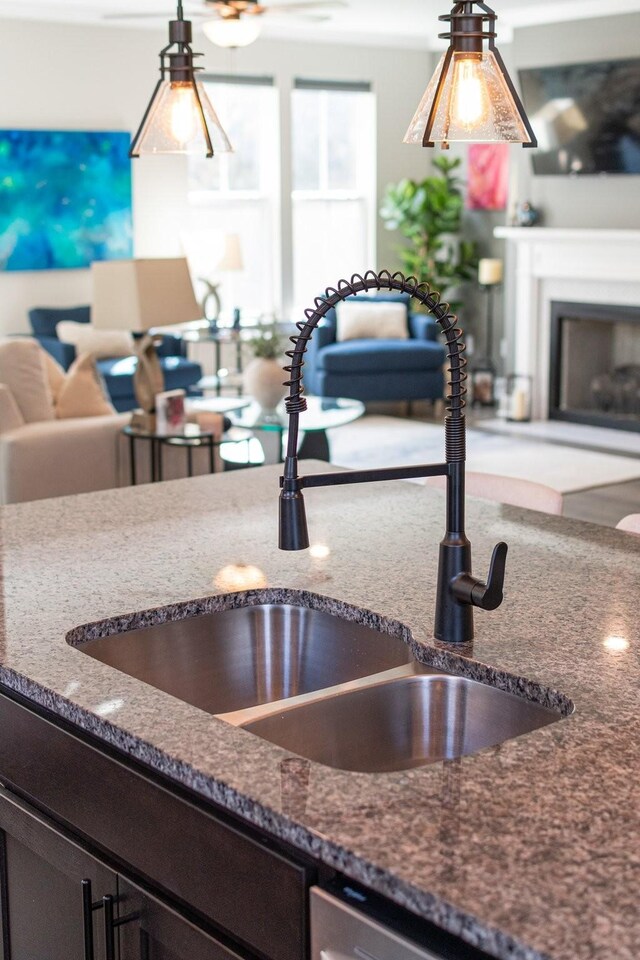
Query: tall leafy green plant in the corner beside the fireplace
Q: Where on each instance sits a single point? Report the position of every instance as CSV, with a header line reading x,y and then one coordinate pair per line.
x,y
429,215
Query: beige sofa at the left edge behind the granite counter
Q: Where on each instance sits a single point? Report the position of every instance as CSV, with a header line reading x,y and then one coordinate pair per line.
x,y
42,456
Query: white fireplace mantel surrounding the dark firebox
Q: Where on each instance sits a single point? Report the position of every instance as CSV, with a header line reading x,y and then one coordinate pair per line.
x,y
546,264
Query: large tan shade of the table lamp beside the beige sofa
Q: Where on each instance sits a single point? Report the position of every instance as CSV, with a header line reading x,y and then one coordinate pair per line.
x,y
137,295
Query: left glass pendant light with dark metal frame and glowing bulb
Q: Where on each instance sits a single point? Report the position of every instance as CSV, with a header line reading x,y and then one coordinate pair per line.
x,y
179,118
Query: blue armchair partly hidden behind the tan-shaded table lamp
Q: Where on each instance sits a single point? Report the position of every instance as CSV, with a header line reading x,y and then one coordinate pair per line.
x,y
179,371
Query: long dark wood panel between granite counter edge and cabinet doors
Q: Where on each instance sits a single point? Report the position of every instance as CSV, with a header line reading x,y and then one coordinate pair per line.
x,y
230,878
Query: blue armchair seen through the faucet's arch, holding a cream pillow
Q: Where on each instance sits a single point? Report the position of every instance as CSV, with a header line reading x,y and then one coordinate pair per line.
x,y
376,369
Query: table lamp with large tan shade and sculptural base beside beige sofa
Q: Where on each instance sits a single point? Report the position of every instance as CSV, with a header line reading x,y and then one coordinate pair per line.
x,y
138,295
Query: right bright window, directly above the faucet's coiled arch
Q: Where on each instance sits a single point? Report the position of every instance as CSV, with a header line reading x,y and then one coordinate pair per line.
x,y
334,174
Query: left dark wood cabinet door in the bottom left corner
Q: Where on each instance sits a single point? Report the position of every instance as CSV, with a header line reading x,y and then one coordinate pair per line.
x,y
48,886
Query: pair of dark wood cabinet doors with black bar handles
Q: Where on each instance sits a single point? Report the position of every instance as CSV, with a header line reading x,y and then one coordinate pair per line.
x,y
60,903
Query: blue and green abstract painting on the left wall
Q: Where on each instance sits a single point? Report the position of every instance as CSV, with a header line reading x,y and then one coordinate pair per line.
x,y
65,199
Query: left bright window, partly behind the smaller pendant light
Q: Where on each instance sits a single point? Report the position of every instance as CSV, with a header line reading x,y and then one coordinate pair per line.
x,y
238,194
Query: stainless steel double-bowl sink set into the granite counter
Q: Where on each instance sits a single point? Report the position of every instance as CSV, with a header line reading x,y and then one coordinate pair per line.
x,y
329,689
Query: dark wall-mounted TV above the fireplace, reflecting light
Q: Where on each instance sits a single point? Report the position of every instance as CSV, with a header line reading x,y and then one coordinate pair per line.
x,y
586,117
